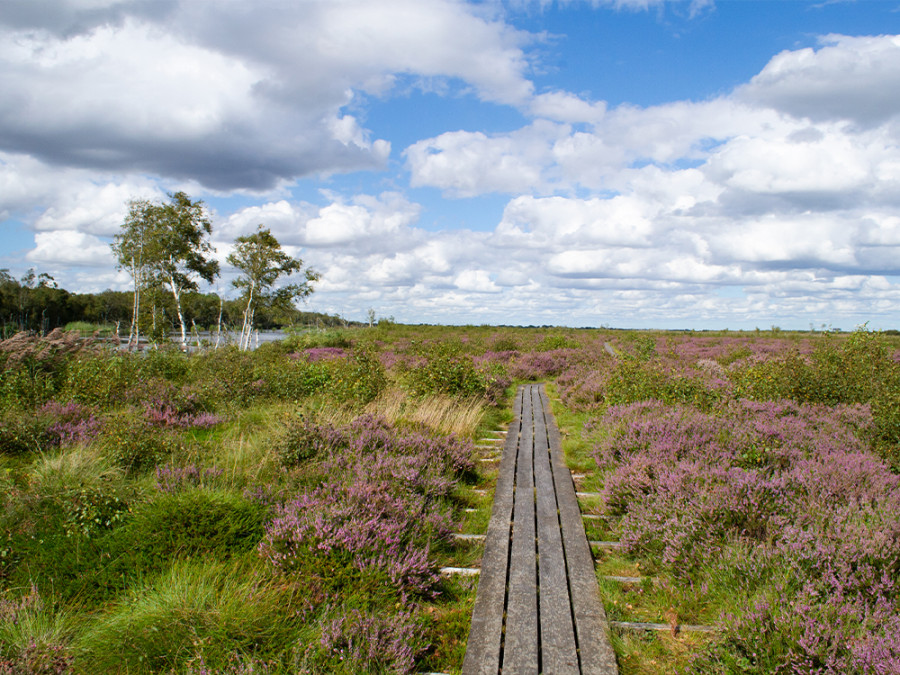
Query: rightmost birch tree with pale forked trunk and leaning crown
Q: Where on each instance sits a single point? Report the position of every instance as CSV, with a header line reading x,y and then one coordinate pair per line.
x,y
262,263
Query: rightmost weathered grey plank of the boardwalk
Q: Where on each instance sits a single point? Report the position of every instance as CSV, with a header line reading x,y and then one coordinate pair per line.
x,y
592,630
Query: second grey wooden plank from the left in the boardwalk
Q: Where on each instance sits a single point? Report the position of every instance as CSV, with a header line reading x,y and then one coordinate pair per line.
x,y
520,651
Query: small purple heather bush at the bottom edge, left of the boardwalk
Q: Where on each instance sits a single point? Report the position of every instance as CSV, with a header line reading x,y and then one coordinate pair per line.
x,y
364,642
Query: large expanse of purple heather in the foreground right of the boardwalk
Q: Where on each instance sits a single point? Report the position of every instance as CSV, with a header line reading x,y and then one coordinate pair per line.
x,y
792,485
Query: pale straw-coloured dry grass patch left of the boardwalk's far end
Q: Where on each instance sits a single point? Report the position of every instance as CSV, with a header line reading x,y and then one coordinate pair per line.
x,y
444,414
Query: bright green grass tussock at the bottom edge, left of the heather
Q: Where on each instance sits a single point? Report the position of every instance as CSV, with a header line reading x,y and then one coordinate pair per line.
x,y
192,612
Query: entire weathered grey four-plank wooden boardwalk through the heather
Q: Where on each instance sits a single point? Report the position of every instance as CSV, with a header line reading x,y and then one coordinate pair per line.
x,y
538,607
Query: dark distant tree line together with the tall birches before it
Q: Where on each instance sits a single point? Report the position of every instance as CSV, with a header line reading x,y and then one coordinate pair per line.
x,y
165,249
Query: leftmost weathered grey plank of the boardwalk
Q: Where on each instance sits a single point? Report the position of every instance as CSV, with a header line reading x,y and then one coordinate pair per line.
x,y
483,649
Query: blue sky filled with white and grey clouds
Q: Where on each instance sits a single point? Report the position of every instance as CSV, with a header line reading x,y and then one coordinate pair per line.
x,y
629,163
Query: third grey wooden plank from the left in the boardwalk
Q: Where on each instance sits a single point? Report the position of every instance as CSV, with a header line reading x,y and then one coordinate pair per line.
x,y
559,655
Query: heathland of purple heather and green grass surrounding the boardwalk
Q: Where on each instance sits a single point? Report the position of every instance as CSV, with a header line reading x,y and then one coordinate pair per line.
x,y
289,510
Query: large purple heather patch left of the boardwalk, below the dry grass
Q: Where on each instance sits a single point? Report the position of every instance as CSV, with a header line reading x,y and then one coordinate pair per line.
x,y
384,514
